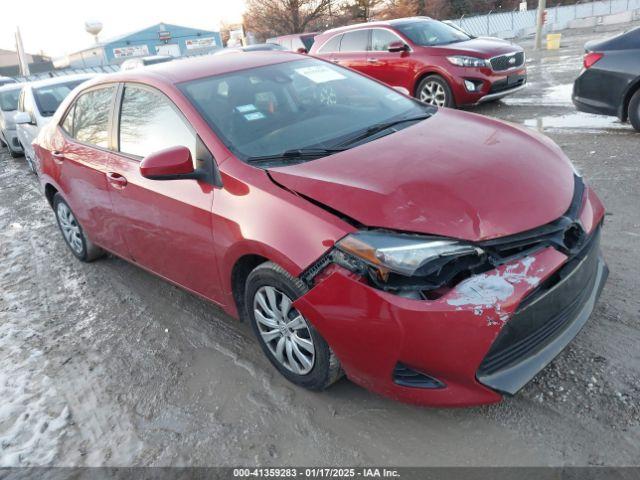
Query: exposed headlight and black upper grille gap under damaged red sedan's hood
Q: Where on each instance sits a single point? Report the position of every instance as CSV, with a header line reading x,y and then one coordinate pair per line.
x,y
428,267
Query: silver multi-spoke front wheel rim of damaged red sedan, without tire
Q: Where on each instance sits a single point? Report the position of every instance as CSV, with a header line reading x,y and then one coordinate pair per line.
x,y
284,330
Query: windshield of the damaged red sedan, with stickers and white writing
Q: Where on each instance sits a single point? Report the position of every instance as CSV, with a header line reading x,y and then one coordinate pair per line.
x,y
294,105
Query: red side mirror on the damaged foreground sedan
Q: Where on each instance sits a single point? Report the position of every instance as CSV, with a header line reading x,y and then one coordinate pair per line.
x,y
173,163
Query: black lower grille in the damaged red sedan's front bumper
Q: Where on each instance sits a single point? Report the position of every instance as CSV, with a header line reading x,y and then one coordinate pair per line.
x,y
546,312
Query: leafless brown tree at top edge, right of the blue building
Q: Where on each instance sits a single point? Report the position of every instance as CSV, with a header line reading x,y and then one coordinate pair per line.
x,y
278,17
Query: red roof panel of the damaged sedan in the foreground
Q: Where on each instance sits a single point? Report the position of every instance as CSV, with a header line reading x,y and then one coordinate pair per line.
x,y
186,69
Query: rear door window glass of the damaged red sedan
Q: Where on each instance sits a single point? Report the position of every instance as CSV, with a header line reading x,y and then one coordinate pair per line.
x,y
91,117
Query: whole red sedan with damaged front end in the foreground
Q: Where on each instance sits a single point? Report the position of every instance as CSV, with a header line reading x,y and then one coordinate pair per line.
x,y
352,230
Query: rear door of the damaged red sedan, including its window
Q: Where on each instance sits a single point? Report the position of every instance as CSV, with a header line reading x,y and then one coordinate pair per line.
x,y
80,163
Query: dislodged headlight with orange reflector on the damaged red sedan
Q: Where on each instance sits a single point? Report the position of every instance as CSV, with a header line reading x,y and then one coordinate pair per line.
x,y
402,261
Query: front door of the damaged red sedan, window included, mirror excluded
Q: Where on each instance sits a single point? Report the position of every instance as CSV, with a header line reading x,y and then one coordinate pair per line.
x,y
167,224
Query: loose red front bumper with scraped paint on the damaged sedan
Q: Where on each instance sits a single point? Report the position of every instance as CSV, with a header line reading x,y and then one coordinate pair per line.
x,y
376,333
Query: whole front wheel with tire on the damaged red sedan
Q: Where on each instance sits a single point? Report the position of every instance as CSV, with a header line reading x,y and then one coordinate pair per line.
x,y
288,340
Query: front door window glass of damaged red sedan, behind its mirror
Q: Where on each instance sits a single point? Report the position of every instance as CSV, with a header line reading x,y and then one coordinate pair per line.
x,y
150,123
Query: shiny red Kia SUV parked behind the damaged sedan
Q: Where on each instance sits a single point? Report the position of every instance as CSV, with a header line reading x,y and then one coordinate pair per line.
x,y
436,63
